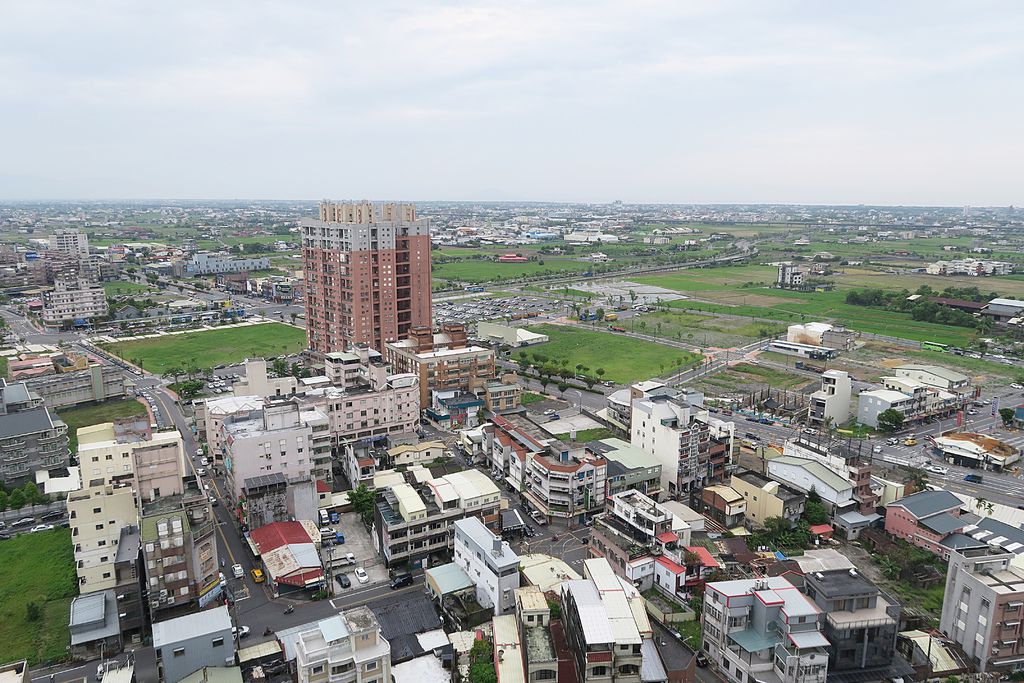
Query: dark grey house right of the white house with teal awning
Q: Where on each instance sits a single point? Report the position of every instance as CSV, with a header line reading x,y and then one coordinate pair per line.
x,y
861,623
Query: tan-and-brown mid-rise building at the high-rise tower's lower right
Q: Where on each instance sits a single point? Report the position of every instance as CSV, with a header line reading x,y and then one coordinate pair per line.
x,y
443,362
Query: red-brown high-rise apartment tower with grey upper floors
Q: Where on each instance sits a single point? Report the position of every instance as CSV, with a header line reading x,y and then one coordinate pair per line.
x,y
368,275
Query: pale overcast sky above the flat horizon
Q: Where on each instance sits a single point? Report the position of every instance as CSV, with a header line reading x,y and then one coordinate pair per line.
x,y
641,101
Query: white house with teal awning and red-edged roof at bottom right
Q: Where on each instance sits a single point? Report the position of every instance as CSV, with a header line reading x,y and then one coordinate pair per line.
x,y
764,630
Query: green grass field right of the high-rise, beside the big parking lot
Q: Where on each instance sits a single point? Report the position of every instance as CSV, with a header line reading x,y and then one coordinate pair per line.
x,y
624,360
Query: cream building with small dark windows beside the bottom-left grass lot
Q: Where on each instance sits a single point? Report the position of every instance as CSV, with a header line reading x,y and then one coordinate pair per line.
x,y
97,517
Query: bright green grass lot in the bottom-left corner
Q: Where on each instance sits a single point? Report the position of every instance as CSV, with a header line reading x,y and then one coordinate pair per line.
x,y
37,569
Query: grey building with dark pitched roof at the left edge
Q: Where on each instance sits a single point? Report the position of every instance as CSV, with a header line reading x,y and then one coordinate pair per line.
x,y
31,438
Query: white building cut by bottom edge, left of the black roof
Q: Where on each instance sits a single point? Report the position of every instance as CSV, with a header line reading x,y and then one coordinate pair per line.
x,y
347,649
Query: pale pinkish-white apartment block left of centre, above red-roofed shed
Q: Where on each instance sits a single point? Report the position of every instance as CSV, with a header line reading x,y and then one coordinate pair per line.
x,y
282,438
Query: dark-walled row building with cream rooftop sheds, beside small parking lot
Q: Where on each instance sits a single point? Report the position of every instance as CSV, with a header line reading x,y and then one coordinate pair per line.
x,y
411,525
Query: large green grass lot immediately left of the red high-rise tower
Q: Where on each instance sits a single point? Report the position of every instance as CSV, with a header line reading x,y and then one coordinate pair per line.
x,y
211,348
